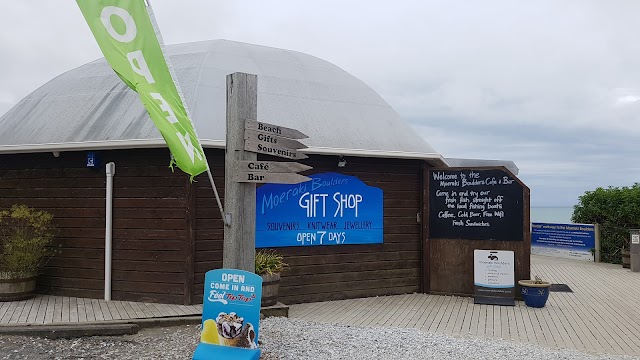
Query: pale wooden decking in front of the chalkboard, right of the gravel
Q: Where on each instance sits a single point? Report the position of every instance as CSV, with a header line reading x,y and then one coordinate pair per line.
x,y
602,315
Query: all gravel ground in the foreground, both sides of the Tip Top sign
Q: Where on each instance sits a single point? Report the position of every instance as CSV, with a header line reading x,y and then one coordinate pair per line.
x,y
283,338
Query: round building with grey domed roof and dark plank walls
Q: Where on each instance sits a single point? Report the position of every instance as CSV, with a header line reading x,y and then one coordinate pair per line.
x,y
167,231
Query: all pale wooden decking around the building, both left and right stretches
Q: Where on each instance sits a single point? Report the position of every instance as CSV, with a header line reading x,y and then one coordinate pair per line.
x,y
602,315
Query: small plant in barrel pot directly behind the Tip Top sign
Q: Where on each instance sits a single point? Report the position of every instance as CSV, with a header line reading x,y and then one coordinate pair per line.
x,y
269,265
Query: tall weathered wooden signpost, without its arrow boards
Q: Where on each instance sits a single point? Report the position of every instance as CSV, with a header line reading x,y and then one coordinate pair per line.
x,y
239,198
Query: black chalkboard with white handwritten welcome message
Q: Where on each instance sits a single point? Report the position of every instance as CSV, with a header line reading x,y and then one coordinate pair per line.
x,y
475,204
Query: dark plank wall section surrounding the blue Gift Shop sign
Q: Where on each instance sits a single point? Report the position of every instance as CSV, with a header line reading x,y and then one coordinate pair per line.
x,y
319,273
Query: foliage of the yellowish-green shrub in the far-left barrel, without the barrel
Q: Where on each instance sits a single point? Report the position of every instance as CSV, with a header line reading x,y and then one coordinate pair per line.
x,y
25,236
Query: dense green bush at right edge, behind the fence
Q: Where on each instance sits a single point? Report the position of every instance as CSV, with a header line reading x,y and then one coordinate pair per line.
x,y
617,210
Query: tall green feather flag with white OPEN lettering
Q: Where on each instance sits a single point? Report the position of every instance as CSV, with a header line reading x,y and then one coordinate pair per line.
x,y
126,33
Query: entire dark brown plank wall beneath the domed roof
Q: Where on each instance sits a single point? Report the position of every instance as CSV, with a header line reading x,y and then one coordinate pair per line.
x,y
168,232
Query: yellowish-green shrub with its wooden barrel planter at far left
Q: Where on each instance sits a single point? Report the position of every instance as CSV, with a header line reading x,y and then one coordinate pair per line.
x,y
25,238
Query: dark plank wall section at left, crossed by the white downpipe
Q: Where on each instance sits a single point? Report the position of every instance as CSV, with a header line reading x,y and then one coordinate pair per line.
x,y
149,226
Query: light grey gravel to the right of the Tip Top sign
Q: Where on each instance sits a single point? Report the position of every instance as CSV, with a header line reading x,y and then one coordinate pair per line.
x,y
298,339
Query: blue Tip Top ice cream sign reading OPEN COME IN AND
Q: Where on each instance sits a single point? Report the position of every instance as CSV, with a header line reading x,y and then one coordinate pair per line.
x,y
230,315
